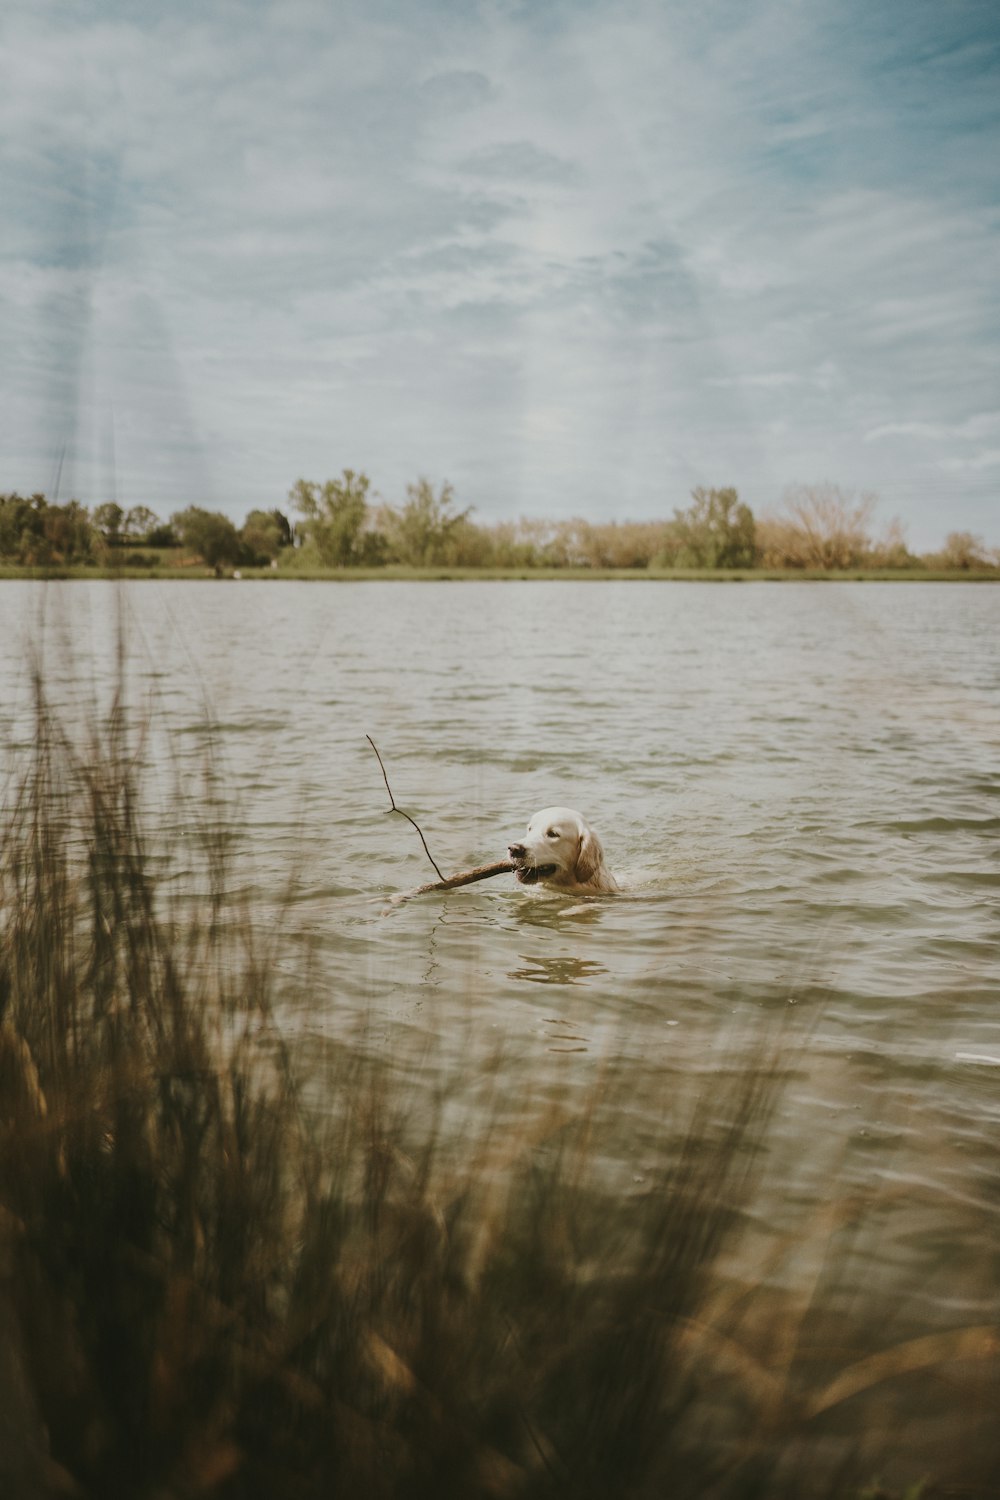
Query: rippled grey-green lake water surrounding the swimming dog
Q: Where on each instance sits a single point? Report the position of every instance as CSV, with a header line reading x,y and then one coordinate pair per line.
x,y
798,787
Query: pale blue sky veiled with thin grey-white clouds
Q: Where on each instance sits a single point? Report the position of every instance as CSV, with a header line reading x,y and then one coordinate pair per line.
x,y
576,259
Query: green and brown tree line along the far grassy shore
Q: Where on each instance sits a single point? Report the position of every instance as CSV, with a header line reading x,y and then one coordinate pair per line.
x,y
343,524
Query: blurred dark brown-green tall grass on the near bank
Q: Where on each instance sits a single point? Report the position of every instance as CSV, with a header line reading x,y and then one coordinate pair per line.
x,y
223,1282
